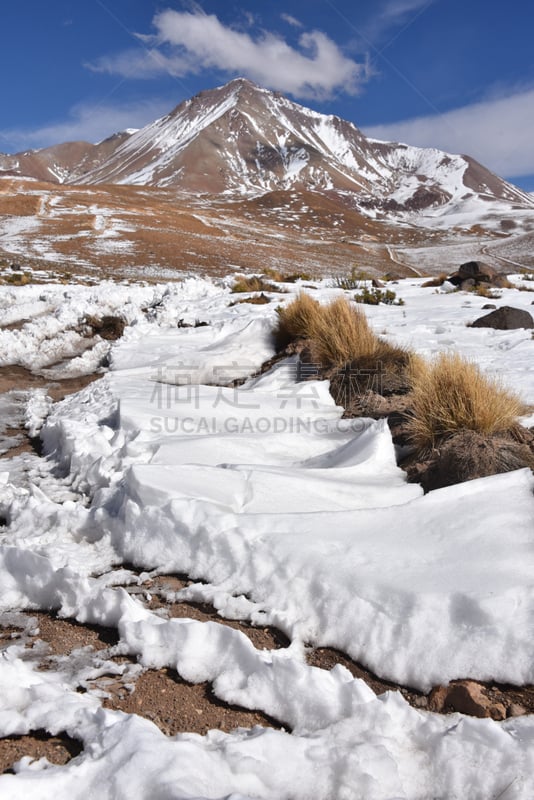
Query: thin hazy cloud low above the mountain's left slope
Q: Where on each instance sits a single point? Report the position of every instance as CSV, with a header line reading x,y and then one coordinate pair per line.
x,y
88,123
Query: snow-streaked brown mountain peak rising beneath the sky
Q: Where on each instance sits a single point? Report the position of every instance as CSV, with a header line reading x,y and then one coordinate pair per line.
x,y
240,139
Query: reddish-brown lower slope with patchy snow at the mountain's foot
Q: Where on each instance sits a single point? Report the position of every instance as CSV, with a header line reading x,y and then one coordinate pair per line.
x,y
125,231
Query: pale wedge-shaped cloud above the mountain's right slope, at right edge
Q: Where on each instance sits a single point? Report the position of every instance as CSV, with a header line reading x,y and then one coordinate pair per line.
x,y
497,132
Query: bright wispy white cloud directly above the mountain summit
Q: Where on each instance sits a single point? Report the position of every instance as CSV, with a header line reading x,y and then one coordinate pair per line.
x,y
189,42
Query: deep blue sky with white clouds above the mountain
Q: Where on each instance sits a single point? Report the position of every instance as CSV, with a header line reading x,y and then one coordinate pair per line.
x,y
453,74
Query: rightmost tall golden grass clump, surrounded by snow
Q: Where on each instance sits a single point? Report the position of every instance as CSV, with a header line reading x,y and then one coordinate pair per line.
x,y
451,394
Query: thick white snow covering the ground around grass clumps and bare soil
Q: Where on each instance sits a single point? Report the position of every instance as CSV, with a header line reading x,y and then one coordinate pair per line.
x,y
285,515
